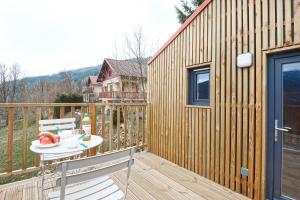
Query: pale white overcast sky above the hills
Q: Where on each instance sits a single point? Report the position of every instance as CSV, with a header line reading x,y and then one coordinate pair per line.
x,y
49,36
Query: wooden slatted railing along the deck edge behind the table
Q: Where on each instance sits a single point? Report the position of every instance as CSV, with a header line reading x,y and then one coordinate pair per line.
x,y
120,126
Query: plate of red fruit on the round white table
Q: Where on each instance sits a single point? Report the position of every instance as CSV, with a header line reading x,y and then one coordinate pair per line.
x,y
47,139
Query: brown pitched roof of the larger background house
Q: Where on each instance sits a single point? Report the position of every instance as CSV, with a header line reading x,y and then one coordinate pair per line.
x,y
127,67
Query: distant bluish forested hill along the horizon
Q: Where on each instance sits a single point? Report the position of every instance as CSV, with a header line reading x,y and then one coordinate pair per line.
x,y
77,75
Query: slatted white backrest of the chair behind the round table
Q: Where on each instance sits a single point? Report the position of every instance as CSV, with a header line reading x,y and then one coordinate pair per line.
x,y
52,124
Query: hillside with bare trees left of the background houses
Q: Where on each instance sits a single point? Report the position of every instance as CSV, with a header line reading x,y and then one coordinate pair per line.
x,y
40,89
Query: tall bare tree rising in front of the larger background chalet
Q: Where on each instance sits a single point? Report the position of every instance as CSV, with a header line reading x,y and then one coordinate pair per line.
x,y
136,45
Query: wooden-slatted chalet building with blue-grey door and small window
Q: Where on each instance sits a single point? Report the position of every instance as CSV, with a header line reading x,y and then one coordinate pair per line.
x,y
224,96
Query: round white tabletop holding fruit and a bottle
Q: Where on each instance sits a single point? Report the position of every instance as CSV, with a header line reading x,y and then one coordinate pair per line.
x,y
64,148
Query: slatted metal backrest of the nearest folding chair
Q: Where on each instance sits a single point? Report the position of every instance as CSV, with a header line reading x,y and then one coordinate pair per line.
x,y
113,162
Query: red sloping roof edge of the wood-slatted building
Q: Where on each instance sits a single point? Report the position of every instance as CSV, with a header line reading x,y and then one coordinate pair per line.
x,y
183,26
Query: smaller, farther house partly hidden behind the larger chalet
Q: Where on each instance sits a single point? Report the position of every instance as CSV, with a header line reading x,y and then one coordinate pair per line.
x,y
91,89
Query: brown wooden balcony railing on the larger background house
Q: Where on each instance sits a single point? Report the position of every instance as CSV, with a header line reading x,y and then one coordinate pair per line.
x,y
123,95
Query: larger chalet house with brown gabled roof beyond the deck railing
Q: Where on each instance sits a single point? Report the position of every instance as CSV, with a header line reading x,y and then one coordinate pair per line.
x,y
122,81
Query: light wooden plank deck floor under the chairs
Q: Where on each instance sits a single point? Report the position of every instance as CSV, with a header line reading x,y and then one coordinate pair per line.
x,y
152,178
